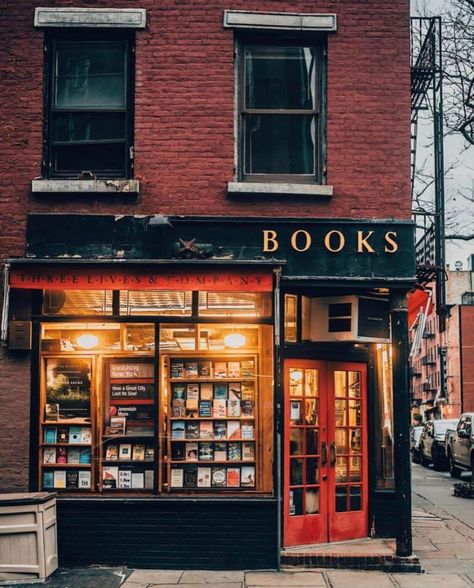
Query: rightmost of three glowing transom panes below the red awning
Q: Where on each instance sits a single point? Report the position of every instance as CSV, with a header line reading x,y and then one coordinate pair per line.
x,y
235,304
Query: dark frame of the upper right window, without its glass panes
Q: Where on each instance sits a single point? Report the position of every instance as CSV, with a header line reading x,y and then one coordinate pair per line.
x,y
319,43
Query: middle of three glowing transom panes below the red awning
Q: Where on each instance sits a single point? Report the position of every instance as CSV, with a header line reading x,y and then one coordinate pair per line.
x,y
155,302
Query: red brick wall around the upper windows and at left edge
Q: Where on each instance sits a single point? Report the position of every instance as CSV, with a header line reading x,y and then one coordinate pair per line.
x,y
184,123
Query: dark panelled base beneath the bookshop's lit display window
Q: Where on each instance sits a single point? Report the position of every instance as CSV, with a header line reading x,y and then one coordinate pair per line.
x,y
168,533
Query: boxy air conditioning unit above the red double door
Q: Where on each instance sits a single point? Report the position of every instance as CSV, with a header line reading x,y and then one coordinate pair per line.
x,y
350,318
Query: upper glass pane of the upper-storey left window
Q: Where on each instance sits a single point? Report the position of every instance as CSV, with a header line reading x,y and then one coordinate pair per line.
x,y
90,75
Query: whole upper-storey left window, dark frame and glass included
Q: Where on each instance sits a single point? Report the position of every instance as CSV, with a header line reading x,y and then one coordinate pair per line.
x,y
89,100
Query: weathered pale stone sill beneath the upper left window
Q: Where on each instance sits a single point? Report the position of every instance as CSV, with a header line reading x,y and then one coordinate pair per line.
x,y
85,186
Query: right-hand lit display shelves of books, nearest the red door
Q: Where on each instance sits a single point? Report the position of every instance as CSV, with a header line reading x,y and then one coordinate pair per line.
x,y
212,417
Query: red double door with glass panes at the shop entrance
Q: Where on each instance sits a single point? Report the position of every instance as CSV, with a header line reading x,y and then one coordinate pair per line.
x,y
325,452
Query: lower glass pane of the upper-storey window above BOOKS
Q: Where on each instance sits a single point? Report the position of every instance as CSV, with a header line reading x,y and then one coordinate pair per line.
x,y
279,144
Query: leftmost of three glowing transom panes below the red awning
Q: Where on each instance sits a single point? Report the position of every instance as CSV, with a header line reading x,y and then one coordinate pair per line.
x,y
77,302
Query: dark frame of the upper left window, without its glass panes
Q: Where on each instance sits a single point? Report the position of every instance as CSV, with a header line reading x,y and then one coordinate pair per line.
x,y
54,38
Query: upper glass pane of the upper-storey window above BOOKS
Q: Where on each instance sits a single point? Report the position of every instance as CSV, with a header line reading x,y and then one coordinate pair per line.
x,y
280,77
